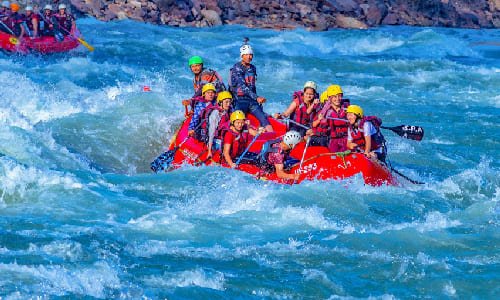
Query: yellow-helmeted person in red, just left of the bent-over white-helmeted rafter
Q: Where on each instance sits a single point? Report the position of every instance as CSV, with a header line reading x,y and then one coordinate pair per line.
x,y
236,138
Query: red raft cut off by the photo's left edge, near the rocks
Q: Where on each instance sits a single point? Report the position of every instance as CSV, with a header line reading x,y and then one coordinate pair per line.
x,y
44,44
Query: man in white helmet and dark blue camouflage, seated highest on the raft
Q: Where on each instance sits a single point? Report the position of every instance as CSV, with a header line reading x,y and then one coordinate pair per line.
x,y
242,78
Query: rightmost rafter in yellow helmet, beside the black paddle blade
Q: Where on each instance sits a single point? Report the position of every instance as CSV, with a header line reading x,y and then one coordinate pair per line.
x,y
364,133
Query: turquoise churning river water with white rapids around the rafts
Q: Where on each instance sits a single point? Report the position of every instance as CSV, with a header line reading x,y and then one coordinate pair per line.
x,y
82,215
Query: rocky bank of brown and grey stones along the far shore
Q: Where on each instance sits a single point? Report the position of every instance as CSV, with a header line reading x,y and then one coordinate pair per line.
x,y
312,15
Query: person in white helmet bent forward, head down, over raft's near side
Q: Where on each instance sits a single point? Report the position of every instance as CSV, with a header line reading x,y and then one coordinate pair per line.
x,y
274,154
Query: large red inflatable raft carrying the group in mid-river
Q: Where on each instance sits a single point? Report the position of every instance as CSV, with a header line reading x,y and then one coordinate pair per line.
x,y
319,163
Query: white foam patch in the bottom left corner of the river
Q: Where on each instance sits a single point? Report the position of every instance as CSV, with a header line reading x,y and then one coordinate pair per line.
x,y
55,280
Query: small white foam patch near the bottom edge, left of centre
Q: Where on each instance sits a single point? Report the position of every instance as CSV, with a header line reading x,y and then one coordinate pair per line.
x,y
196,277
